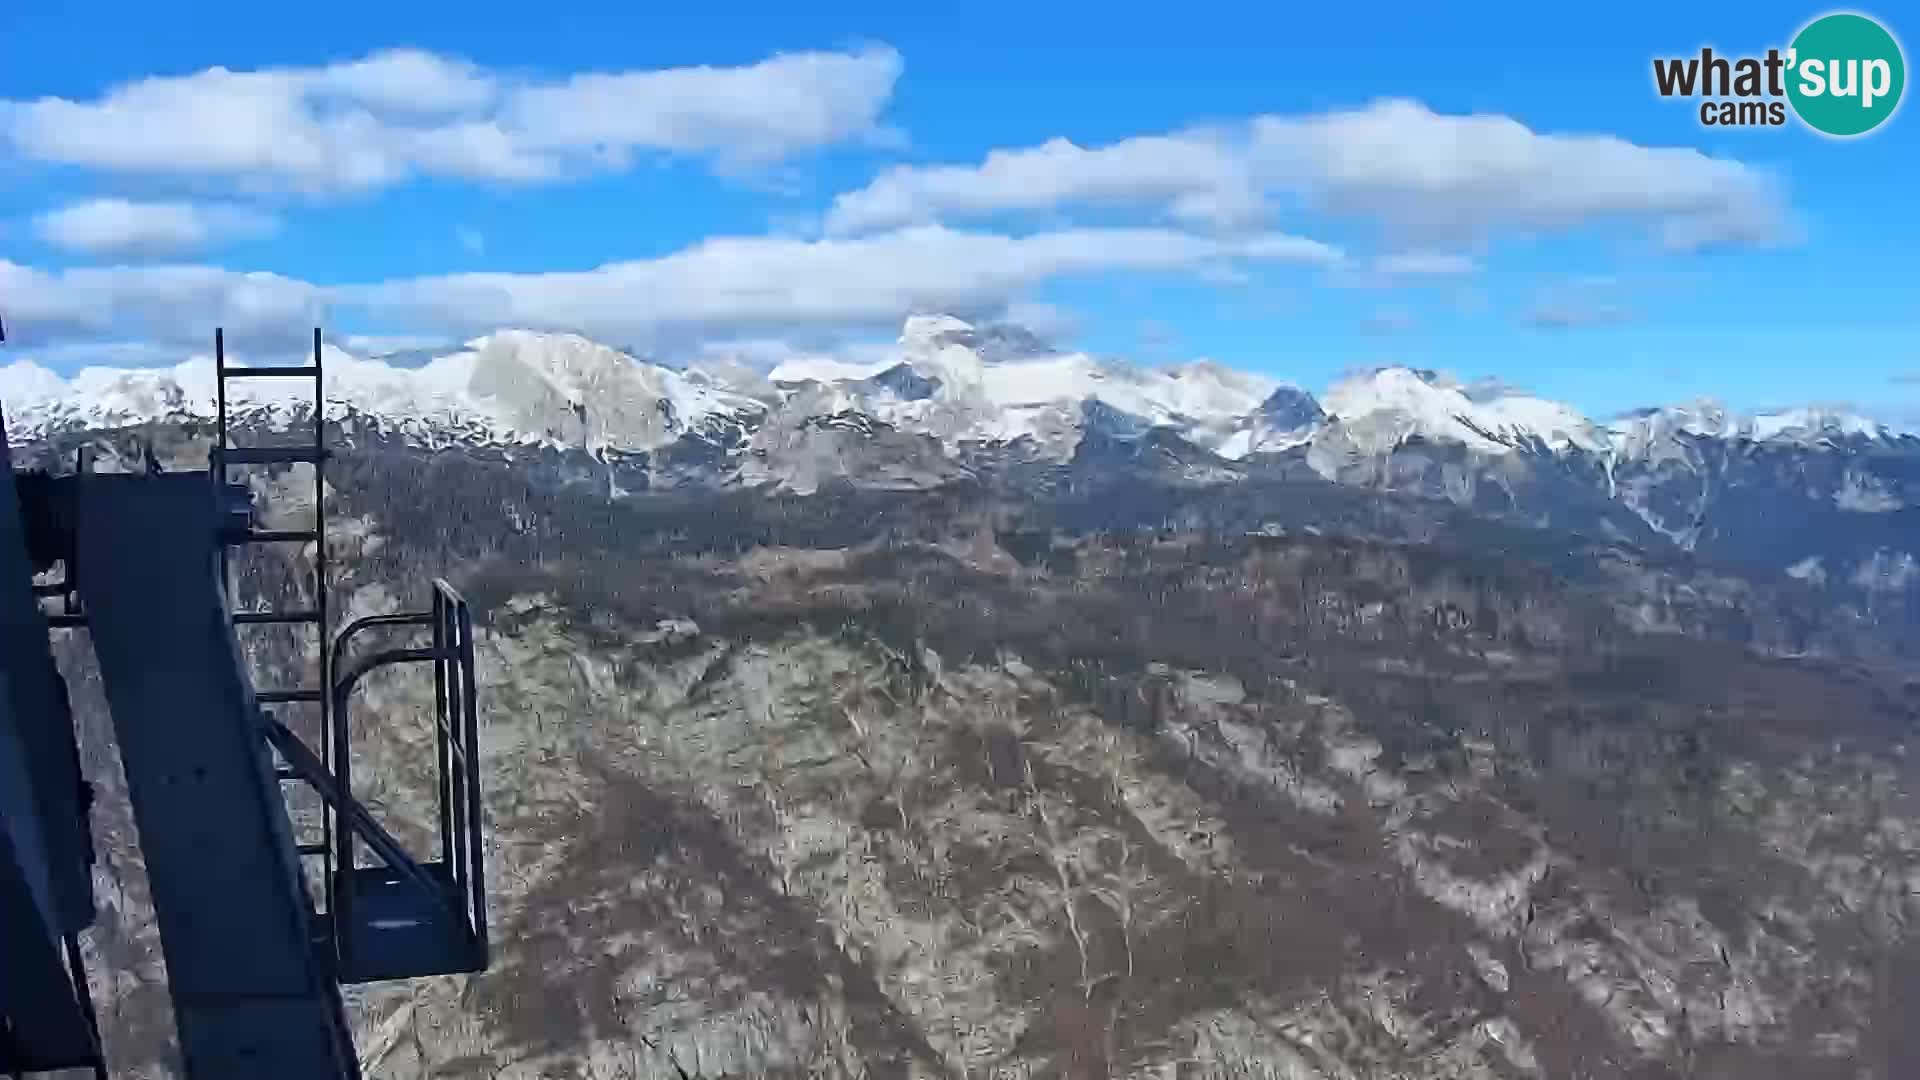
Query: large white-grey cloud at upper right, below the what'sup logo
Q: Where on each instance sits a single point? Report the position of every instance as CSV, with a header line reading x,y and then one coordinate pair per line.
x,y
1420,174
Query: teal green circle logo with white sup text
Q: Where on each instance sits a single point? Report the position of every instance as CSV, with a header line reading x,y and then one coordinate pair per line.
x,y
1846,74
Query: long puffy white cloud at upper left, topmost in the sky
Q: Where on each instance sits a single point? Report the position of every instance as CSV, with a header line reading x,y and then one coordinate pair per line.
x,y
404,112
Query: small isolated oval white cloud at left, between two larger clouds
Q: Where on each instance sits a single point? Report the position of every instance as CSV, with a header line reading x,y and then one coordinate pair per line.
x,y
145,230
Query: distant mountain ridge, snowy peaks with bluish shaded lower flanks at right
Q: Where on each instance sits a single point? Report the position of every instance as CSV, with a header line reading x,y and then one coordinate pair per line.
x,y
1821,495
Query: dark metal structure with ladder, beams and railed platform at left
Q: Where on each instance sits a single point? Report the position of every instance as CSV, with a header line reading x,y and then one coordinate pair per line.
x,y
252,960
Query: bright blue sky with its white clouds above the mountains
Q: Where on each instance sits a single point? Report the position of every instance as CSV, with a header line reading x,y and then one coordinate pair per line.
x,y
1295,193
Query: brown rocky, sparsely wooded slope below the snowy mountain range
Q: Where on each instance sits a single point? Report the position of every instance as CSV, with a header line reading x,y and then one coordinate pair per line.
x,y
942,785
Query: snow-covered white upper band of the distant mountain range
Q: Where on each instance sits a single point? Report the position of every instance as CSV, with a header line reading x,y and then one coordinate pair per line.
x,y
948,380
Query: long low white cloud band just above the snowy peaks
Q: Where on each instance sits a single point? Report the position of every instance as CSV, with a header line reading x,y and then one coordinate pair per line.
x,y
732,287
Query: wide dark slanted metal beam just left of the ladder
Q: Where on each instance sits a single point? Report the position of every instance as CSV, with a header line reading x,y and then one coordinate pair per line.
x,y
252,996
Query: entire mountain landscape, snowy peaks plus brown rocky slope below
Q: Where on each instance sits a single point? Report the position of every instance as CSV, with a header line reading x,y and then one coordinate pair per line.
x,y
1061,735
